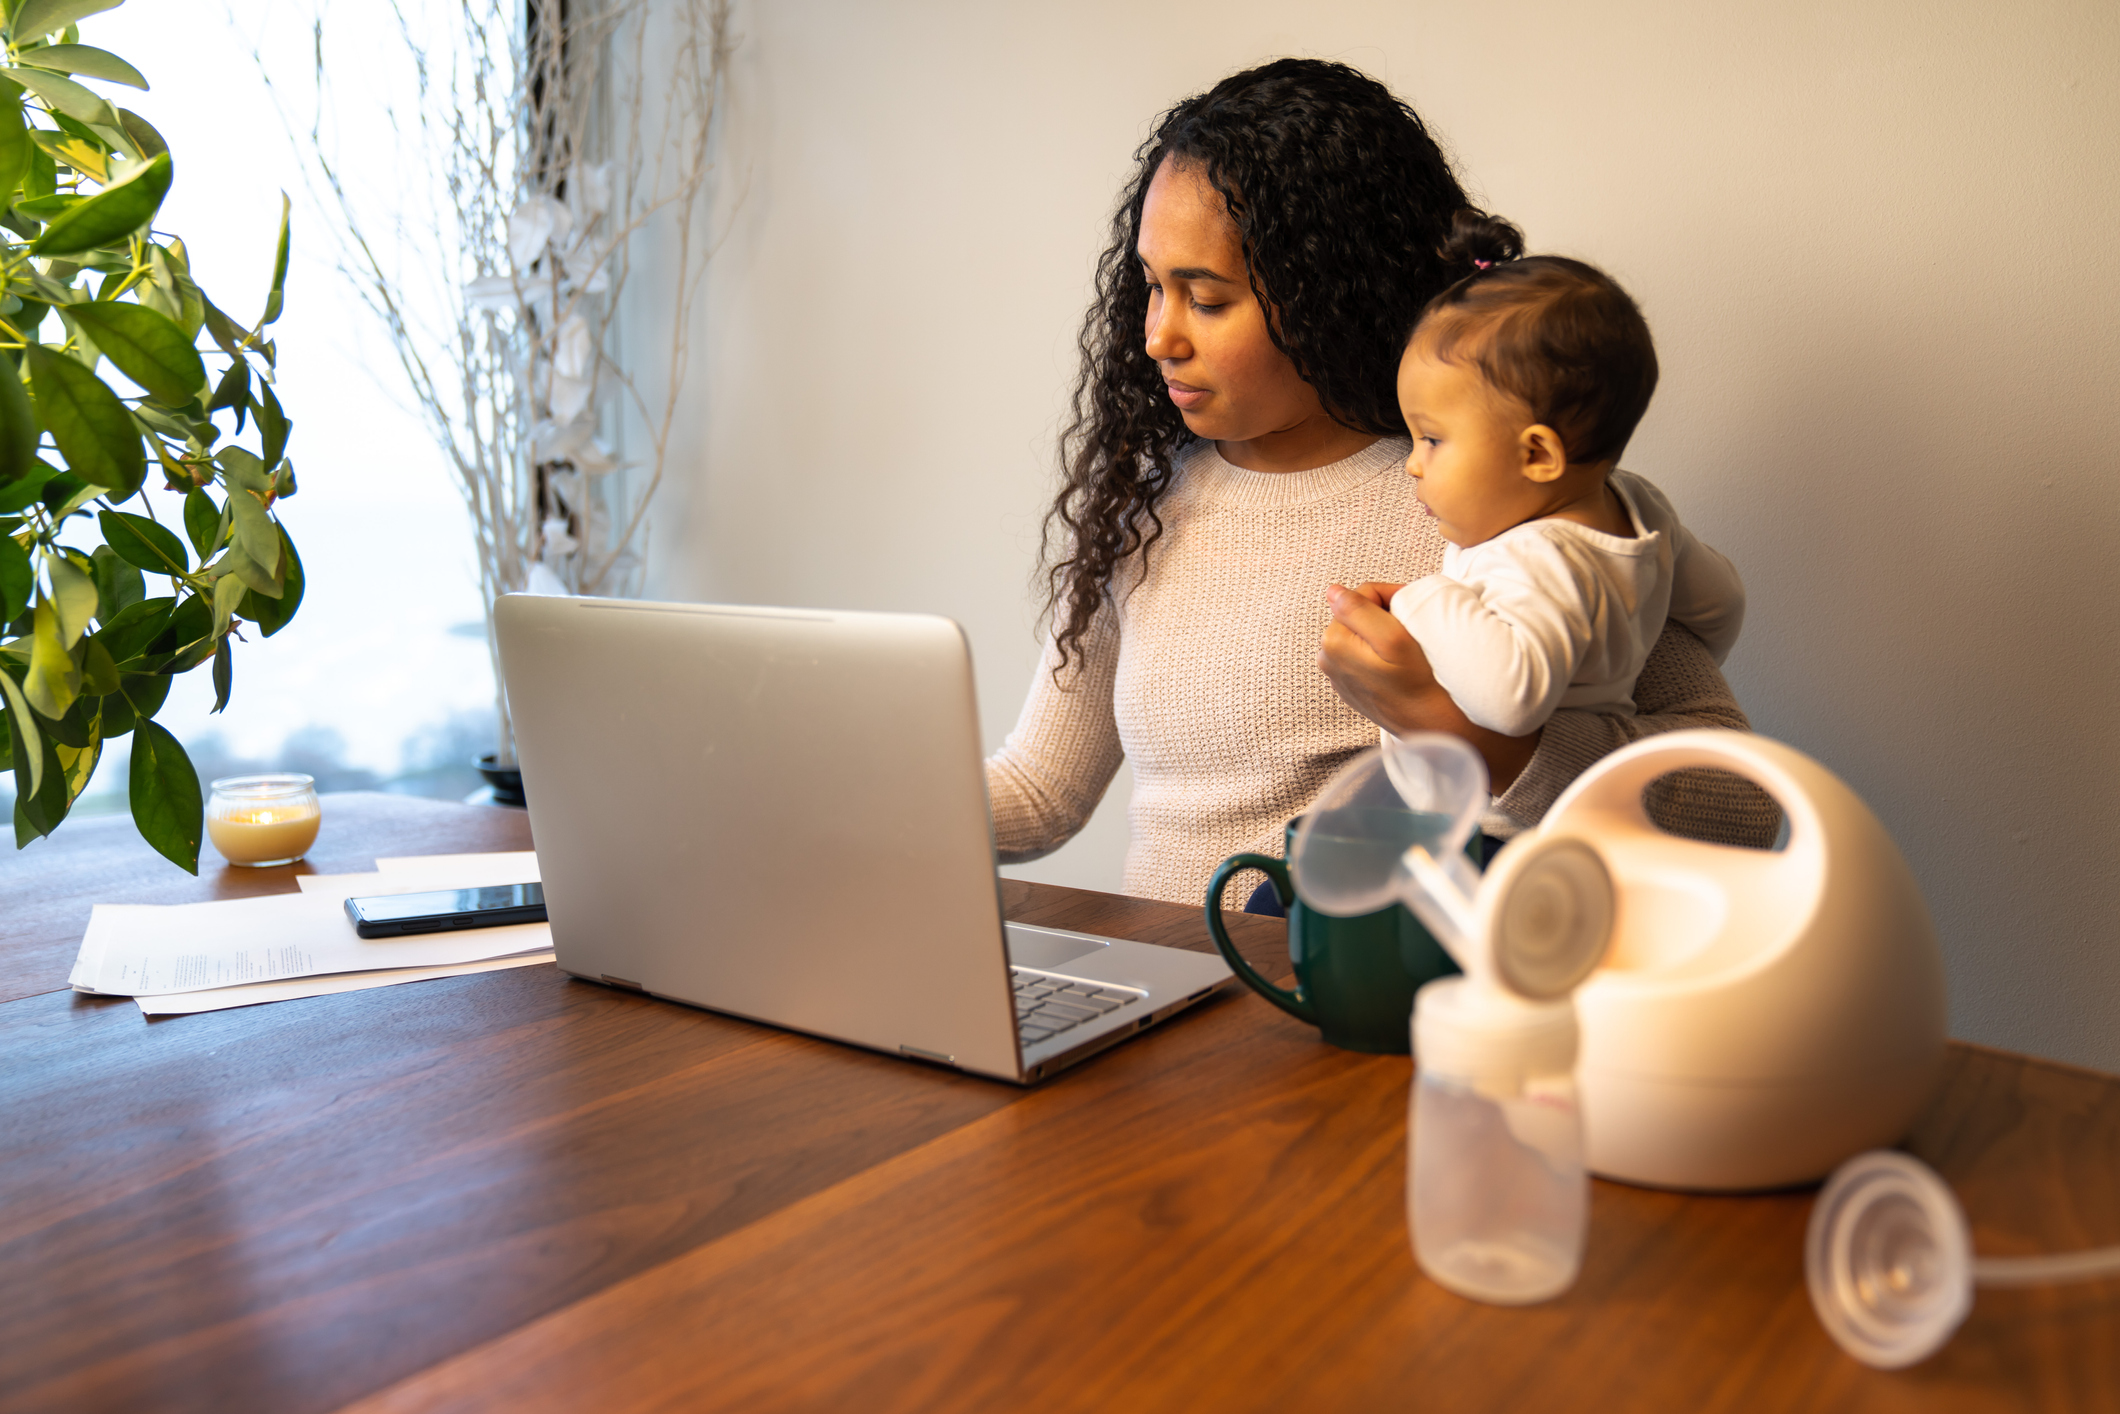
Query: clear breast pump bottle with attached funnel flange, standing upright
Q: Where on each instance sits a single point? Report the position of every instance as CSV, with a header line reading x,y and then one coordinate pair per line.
x,y
1498,1195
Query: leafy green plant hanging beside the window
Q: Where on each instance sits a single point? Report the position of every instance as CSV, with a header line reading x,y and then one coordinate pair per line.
x,y
139,535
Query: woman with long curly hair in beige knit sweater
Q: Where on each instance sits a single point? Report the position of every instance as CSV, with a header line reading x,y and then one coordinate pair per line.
x,y
1235,448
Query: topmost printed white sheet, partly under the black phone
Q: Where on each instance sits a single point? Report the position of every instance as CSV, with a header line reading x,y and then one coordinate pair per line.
x,y
145,951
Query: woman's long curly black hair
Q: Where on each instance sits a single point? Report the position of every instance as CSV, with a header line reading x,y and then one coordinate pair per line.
x,y
1343,205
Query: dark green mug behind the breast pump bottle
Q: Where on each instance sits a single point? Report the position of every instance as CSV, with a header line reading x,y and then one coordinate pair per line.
x,y
1356,978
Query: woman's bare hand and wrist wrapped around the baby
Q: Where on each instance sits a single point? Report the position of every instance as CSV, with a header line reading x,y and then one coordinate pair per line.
x,y
1379,671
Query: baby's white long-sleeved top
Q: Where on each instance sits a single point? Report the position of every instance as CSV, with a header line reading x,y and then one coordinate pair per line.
x,y
1559,616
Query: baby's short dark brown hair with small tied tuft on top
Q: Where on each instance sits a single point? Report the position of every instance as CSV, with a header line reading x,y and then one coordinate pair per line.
x,y
1557,336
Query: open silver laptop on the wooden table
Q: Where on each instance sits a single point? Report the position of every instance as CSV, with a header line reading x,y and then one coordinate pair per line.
x,y
781,815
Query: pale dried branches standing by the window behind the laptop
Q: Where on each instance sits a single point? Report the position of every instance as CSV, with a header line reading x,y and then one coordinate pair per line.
x,y
544,147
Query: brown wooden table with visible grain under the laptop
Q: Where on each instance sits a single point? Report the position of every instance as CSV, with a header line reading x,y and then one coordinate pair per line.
x,y
523,1192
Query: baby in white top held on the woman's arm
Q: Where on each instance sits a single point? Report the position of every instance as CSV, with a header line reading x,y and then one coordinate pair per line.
x,y
1521,387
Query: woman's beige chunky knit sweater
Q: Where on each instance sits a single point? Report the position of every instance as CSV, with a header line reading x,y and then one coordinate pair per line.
x,y
1203,673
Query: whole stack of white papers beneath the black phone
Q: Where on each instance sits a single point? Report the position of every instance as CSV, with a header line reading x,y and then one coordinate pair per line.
x,y
236,953
